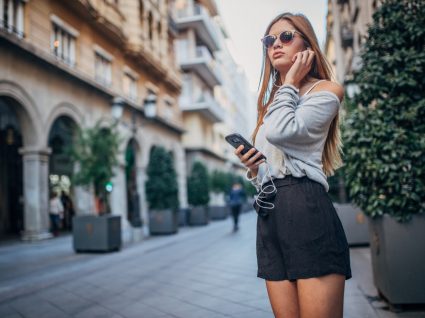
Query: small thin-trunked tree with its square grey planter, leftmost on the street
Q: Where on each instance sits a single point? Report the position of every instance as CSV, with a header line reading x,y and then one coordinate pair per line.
x,y
94,151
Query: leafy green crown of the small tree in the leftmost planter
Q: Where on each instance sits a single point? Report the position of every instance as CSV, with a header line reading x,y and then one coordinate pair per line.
x,y
95,151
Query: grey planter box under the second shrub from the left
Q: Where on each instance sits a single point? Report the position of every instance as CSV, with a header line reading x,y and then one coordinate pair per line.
x,y
163,222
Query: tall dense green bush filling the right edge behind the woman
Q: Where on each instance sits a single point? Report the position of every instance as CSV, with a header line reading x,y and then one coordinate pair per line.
x,y
384,135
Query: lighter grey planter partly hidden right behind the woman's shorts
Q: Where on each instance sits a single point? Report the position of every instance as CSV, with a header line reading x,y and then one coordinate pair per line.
x,y
355,223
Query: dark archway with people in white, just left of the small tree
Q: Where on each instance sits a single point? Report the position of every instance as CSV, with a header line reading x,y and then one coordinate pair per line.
x,y
60,167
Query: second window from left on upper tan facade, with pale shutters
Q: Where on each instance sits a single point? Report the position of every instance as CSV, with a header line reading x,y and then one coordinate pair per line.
x,y
63,41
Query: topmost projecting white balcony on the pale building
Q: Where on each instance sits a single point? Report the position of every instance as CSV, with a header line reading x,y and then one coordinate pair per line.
x,y
199,19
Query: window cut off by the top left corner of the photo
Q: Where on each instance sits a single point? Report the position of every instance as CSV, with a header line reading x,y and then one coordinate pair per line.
x,y
12,16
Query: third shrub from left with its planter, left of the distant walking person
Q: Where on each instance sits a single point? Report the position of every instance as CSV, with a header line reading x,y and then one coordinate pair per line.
x,y
198,188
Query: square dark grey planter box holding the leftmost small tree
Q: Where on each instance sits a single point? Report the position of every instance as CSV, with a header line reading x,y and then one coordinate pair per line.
x,y
93,233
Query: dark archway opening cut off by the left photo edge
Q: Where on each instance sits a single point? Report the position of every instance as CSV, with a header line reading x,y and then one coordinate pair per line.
x,y
11,171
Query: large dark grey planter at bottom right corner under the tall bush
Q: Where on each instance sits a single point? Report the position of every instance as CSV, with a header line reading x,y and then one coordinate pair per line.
x,y
398,259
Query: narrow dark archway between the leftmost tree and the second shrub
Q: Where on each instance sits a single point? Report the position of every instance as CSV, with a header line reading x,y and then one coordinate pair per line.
x,y
133,198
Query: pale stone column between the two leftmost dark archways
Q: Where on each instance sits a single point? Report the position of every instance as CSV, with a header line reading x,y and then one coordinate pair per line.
x,y
36,193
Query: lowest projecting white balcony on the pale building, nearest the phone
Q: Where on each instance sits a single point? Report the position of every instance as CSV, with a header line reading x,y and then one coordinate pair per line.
x,y
206,105
